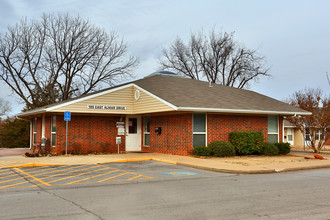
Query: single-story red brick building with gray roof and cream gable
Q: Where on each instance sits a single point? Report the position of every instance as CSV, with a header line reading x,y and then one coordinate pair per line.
x,y
161,113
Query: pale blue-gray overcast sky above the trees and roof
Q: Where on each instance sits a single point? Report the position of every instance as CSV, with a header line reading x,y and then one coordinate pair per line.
x,y
294,36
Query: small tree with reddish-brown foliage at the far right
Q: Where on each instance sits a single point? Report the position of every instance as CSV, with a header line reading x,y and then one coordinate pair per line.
x,y
314,101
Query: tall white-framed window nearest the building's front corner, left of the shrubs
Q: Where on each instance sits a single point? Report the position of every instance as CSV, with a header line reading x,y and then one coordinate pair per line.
x,y
199,129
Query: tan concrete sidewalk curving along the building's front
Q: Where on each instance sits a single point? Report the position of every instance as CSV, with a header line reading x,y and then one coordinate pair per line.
x,y
252,164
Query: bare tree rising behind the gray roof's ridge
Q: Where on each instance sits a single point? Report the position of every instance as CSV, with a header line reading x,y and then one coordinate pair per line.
x,y
216,57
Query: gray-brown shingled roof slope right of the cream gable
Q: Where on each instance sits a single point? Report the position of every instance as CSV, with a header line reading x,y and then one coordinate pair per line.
x,y
183,92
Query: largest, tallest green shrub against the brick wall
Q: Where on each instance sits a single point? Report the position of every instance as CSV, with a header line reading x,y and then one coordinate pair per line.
x,y
246,142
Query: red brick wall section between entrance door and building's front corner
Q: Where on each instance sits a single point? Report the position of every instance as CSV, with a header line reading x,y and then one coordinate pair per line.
x,y
176,136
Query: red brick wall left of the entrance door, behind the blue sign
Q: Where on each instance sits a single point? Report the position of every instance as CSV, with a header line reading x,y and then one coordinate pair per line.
x,y
91,133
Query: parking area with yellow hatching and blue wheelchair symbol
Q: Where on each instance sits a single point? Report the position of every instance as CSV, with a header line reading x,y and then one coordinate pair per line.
x,y
48,176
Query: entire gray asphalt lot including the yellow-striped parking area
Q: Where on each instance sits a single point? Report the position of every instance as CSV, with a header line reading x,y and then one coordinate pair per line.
x,y
156,190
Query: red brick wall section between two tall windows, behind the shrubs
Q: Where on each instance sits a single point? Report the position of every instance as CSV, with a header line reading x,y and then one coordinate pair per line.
x,y
219,126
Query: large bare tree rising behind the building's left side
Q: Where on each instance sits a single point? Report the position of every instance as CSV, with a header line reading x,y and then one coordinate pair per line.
x,y
59,57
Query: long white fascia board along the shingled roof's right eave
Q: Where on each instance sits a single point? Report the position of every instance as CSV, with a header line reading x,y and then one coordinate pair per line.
x,y
241,111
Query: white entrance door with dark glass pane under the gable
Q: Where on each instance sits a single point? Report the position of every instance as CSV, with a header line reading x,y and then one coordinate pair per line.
x,y
133,133
